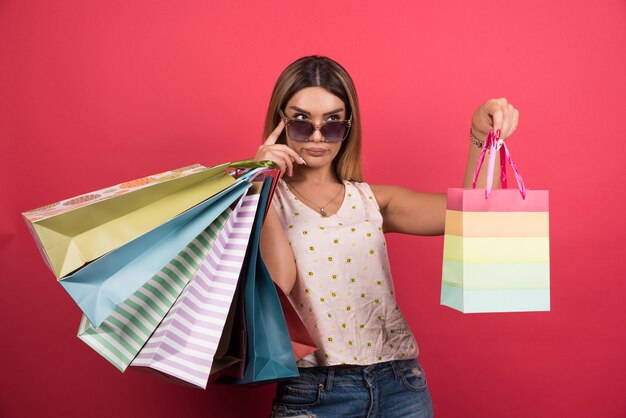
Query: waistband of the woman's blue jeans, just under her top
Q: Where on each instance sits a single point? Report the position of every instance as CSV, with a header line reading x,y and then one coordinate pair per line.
x,y
362,375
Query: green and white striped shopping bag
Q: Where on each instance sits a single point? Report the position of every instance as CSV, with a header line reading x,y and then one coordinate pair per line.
x,y
120,337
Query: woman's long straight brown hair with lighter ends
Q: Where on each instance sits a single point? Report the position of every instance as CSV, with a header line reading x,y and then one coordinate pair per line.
x,y
318,71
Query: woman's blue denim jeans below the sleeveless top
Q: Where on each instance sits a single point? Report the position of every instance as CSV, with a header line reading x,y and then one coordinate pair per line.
x,y
383,390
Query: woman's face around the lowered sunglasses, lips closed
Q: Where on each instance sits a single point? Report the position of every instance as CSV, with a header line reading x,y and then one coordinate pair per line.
x,y
317,105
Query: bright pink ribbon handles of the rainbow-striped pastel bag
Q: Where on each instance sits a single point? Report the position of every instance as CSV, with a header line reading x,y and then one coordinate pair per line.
x,y
494,143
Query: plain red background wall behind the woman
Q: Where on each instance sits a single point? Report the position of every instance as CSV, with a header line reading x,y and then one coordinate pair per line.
x,y
96,93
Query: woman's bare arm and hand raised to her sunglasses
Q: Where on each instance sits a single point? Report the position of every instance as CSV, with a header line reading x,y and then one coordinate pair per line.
x,y
275,247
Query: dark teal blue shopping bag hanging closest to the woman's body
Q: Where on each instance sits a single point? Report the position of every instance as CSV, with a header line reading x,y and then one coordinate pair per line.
x,y
269,353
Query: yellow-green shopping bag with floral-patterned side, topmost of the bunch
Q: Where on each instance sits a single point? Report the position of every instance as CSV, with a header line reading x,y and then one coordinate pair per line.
x,y
76,231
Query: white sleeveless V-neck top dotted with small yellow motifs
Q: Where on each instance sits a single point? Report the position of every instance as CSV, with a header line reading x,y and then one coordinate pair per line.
x,y
343,291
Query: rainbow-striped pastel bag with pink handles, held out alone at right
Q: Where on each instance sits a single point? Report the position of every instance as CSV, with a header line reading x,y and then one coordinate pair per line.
x,y
496,244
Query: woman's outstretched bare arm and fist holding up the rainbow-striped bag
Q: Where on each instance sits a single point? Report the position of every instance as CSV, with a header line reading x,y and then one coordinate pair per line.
x,y
415,213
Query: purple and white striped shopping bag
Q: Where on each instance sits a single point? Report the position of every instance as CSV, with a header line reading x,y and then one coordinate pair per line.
x,y
184,344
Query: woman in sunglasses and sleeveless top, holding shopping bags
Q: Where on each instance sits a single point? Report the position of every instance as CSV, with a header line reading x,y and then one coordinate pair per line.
x,y
324,245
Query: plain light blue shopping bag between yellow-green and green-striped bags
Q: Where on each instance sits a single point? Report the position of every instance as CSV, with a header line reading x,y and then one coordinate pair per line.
x,y
108,281
